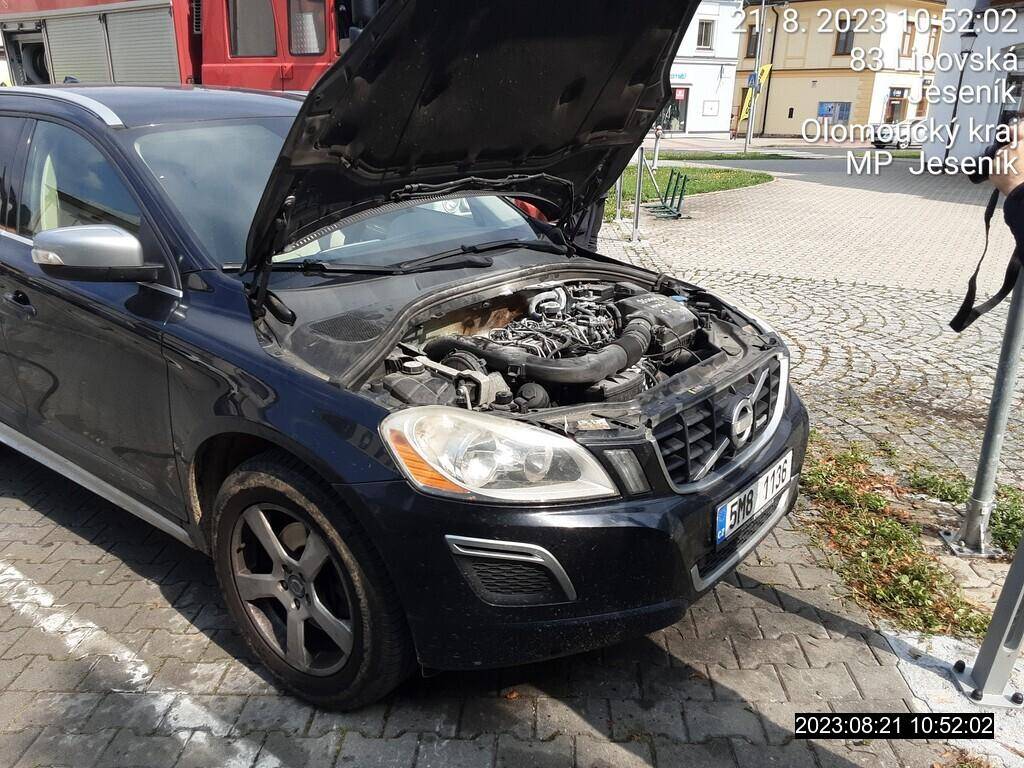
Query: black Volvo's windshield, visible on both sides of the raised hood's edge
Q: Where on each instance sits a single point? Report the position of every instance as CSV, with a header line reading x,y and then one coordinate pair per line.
x,y
215,174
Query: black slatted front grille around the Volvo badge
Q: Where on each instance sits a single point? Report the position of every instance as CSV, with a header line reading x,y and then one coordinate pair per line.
x,y
690,439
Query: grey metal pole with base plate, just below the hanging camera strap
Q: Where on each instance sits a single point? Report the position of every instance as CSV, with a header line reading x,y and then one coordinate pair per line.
x,y
973,538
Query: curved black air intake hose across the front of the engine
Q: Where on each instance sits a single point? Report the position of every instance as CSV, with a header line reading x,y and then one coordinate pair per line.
x,y
588,369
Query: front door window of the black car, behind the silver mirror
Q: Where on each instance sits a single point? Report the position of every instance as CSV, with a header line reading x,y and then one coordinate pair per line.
x,y
68,183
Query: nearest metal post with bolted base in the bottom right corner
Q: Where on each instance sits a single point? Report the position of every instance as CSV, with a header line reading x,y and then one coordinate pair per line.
x,y
987,684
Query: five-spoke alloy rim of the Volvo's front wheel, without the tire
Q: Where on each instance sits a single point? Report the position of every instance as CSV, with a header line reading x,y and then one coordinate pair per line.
x,y
293,589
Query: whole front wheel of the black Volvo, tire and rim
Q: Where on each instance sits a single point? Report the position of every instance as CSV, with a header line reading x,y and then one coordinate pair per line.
x,y
308,591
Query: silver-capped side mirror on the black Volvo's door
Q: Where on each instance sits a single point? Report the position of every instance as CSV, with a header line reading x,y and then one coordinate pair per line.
x,y
97,253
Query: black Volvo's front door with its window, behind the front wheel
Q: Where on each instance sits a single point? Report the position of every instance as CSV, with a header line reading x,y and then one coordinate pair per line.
x,y
88,356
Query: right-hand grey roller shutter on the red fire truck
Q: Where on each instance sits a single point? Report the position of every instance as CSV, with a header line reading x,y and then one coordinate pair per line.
x,y
143,47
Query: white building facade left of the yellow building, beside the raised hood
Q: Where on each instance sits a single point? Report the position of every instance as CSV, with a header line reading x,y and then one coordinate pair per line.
x,y
704,74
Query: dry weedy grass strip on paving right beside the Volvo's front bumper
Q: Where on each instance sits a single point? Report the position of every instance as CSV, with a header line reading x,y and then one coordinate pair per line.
x,y
877,553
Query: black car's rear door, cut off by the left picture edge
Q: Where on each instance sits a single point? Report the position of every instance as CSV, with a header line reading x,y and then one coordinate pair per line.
x,y
13,136
